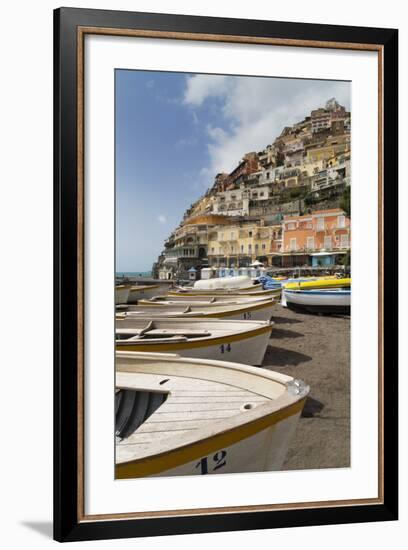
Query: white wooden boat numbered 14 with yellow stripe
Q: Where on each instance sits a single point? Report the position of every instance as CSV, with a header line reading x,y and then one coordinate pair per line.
x,y
238,341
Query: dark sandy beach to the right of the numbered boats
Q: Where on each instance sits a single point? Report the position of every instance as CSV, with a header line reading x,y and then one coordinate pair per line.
x,y
316,348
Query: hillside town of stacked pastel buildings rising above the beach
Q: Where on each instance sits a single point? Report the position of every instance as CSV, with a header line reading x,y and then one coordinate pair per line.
x,y
279,206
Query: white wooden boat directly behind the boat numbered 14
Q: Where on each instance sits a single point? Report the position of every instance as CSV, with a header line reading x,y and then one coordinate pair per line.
x,y
258,311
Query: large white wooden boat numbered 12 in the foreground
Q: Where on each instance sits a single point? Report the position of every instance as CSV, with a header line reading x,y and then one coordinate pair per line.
x,y
177,416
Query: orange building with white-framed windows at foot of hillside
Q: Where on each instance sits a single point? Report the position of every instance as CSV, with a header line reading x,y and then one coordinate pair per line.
x,y
319,238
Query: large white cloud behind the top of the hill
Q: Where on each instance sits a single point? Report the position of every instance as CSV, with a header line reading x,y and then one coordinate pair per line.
x,y
253,111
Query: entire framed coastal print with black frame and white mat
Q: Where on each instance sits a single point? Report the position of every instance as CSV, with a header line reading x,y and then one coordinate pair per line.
x,y
213,369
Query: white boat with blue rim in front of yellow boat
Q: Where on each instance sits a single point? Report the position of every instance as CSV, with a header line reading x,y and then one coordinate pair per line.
x,y
334,300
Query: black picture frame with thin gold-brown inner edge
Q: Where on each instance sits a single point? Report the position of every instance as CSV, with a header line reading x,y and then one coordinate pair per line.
x,y
70,27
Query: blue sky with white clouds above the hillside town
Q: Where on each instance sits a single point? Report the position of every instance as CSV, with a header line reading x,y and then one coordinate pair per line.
x,y
175,131
